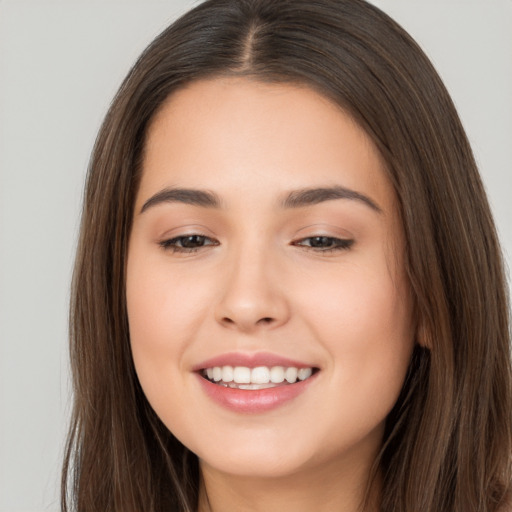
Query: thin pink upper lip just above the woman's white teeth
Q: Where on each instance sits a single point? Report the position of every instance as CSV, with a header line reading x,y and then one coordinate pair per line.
x,y
251,360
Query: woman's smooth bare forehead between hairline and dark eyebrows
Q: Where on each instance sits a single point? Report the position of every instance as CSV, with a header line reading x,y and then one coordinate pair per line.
x,y
239,134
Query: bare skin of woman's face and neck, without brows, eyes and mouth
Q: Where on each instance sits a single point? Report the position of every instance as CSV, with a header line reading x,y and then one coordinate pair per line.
x,y
257,284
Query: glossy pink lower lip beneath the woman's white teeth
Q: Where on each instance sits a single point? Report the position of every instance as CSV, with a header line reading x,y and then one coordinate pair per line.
x,y
254,400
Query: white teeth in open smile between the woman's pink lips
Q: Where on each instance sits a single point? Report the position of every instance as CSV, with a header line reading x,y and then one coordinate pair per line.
x,y
259,377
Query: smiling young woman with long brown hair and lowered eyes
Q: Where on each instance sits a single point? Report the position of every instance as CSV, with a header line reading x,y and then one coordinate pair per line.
x,y
288,293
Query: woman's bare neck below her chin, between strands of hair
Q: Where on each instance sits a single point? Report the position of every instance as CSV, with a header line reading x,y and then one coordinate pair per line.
x,y
322,489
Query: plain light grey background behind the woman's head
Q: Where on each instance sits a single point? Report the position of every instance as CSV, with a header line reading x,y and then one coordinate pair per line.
x,y
60,64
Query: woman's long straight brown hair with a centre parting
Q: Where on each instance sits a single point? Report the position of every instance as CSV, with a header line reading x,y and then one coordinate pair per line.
x,y
447,446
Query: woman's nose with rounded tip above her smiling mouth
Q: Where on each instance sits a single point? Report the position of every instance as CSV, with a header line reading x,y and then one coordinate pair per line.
x,y
252,297
